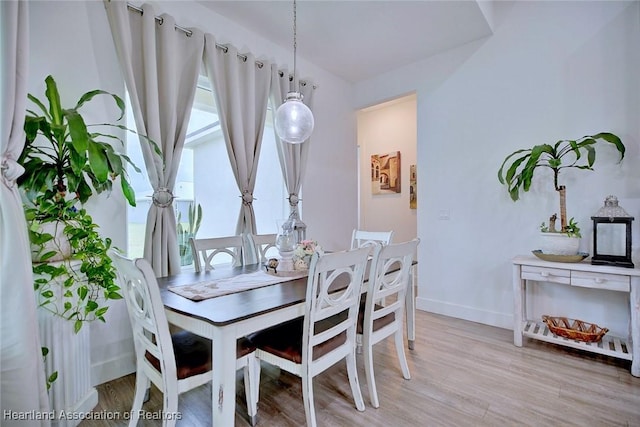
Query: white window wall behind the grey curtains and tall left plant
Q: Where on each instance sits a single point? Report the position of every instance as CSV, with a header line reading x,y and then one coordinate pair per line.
x,y
71,40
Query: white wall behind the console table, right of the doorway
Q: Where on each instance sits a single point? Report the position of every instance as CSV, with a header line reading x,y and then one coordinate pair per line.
x,y
552,70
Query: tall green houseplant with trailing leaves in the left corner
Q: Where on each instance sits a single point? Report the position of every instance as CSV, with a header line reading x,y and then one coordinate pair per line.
x,y
66,162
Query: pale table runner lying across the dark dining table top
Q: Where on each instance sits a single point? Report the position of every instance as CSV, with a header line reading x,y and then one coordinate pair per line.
x,y
243,282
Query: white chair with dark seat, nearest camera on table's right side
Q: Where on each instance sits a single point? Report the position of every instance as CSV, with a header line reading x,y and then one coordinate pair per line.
x,y
325,335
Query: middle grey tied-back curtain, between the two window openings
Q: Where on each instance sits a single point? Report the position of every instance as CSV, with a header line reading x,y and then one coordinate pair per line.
x,y
241,89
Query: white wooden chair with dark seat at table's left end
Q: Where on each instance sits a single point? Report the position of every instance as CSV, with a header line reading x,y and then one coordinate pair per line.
x,y
174,363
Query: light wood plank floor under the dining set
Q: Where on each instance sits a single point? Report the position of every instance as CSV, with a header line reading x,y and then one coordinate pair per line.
x,y
463,374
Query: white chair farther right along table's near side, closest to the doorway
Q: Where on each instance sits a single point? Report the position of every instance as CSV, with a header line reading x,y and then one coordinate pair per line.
x,y
377,322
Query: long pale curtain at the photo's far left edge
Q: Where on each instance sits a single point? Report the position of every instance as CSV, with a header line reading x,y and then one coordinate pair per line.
x,y
22,377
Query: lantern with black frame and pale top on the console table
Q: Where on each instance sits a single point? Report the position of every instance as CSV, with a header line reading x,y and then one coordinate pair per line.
x,y
612,235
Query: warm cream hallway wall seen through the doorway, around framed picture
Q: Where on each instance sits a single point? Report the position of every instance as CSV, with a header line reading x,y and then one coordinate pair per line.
x,y
386,128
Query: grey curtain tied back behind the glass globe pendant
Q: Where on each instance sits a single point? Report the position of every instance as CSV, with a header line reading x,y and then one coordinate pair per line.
x,y
293,157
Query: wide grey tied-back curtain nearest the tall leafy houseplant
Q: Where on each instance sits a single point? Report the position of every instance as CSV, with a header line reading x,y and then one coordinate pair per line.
x,y
160,64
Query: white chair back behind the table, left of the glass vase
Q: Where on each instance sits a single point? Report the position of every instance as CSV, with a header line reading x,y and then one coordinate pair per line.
x,y
229,249
